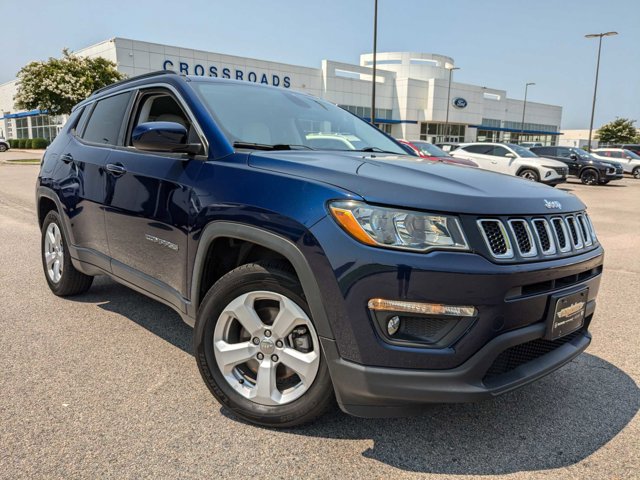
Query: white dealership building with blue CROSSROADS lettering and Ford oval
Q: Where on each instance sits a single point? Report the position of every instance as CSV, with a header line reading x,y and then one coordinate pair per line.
x,y
411,93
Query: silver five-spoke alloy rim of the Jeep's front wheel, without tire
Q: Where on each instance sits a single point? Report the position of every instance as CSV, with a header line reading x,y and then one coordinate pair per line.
x,y
266,348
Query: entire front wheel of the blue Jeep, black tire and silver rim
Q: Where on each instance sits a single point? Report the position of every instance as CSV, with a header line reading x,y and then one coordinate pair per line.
x,y
238,382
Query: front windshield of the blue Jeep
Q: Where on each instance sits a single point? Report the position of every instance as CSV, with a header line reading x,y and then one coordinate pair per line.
x,y
275,117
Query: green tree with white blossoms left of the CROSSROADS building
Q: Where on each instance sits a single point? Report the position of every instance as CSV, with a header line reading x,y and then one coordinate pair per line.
x,y
59,83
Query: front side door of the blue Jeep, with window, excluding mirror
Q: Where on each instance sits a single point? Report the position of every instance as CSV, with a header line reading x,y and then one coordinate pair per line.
x,y
150,202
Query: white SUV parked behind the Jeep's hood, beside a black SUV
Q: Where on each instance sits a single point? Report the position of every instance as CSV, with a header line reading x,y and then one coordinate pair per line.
x,y
514,160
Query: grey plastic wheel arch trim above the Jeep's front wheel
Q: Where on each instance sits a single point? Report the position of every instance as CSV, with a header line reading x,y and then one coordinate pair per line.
x,y
268,240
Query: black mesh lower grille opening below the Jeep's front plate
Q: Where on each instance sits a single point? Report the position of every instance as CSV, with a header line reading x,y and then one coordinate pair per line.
x,y
519,355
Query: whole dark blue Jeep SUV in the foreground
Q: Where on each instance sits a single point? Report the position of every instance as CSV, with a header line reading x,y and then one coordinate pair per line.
x,y
316,262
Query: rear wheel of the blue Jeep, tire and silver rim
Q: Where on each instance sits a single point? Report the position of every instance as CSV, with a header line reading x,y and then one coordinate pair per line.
x,y
62,277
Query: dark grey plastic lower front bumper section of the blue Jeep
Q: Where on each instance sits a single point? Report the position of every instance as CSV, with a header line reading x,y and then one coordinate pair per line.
x,y
382,392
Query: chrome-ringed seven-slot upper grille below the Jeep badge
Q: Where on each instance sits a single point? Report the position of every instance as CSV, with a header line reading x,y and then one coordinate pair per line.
x,y
537,237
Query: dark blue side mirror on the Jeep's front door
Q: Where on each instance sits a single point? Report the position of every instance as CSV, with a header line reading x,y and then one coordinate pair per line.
x,y
169,137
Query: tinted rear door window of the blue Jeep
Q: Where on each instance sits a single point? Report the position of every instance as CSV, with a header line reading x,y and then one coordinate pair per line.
x,y
105,122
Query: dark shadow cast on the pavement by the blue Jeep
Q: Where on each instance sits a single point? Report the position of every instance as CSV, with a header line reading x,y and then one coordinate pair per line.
x,y
554,423
